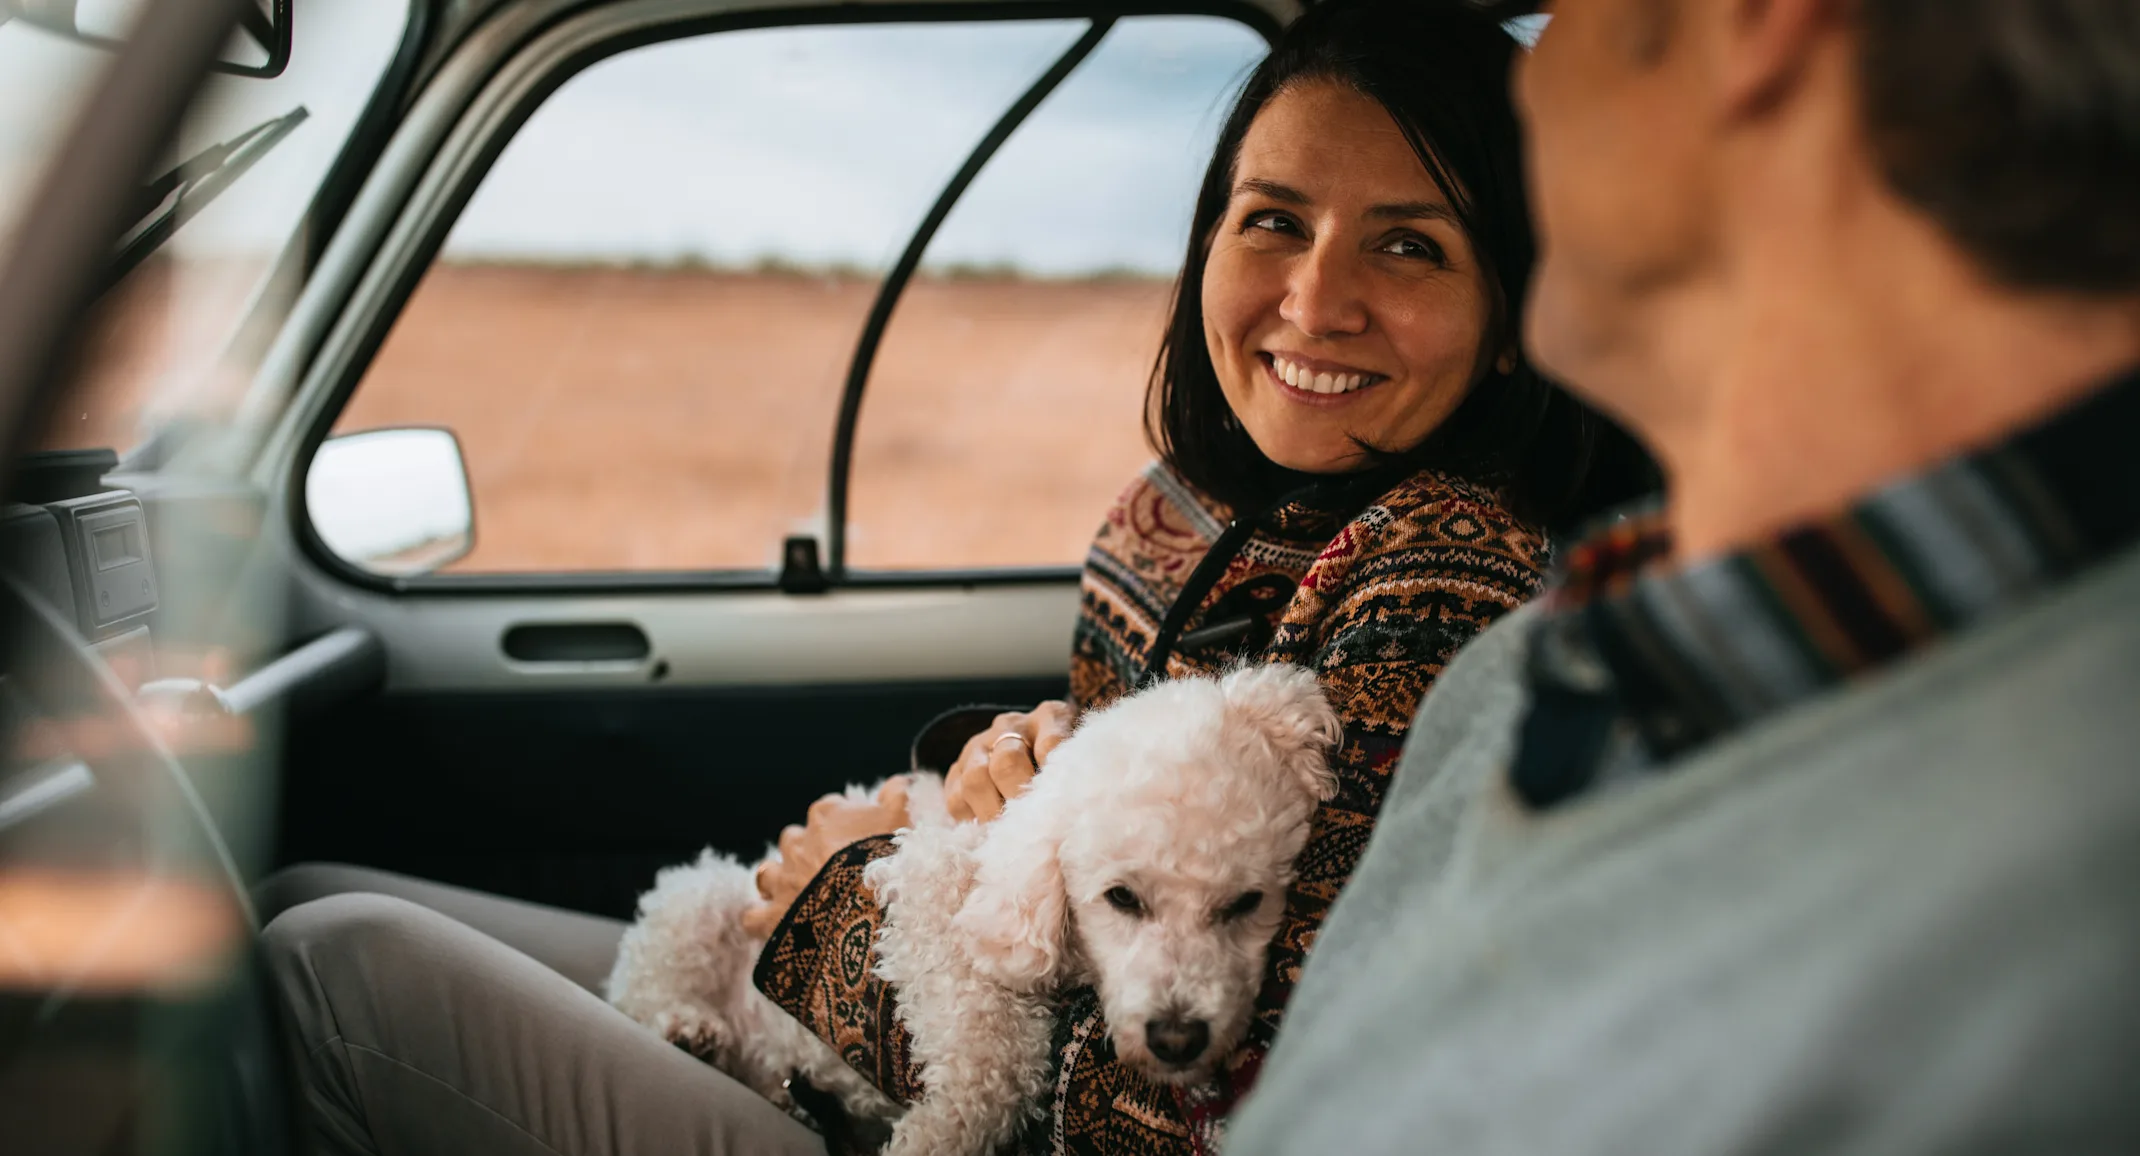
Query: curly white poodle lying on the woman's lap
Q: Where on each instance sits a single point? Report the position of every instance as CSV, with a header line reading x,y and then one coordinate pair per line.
x,y
1150,860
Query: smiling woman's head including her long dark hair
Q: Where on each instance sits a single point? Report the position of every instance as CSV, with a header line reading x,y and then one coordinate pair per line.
x,y
1354,294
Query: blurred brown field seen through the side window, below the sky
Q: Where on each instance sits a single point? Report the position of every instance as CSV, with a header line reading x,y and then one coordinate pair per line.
x,y
684,419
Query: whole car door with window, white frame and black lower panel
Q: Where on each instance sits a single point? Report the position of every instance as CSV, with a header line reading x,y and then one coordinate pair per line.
x,y
701,397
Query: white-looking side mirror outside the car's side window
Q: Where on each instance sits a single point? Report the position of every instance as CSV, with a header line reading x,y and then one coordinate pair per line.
x,y
393,502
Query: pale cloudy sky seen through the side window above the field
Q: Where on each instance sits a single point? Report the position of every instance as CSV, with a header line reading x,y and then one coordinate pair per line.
x,y
827,147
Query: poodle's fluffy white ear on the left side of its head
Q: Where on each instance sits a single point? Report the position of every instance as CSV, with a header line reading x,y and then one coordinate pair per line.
x,y
1015,919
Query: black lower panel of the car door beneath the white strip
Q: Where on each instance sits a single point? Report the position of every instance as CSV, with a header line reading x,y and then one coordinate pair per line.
x,y
579,795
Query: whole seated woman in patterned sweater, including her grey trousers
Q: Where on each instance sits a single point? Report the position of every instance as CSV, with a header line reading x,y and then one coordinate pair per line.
x,y
1356,476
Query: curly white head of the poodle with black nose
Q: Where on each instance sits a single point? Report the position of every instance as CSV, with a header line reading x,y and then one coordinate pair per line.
x,y
1155,855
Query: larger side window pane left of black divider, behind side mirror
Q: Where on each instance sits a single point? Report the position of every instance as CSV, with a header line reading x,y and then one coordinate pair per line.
x,y
641,324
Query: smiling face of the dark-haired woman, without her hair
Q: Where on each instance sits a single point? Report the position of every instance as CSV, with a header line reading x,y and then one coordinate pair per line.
x,y
1341,296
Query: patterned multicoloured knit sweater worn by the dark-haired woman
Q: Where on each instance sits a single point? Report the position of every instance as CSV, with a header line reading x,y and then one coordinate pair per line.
x,y
1375,600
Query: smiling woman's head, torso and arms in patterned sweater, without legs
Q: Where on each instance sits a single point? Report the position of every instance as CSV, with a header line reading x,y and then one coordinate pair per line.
x,y
1343,386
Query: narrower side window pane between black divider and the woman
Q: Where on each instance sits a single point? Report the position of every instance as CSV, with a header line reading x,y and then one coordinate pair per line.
x,y
1005,410
